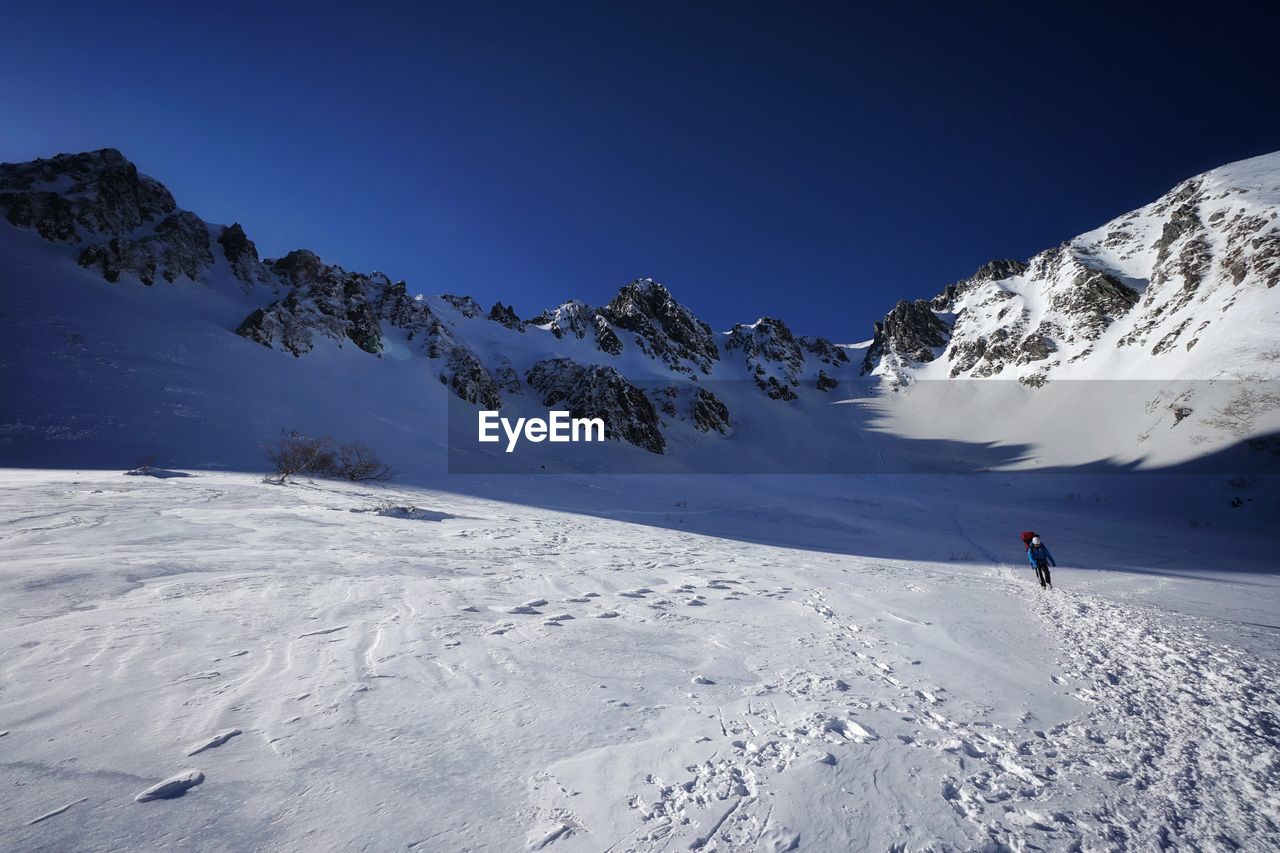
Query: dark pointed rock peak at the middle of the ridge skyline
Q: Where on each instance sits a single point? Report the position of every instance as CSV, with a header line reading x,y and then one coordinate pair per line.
x,y
662,327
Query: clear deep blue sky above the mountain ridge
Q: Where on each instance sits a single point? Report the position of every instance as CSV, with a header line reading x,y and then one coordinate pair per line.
x,y
811,162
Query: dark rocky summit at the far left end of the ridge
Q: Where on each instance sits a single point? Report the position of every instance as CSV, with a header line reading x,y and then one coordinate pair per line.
x,y
74,195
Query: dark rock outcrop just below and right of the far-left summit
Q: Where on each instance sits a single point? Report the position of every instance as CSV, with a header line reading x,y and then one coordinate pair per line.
x,y
180,247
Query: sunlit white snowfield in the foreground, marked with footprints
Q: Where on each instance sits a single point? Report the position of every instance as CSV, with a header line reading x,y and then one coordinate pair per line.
x,y
479,676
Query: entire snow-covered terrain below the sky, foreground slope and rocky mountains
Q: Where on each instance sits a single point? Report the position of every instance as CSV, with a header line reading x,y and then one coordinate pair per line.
x,y
633,664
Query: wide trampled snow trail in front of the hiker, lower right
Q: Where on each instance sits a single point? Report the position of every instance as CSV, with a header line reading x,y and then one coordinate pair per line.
x,y
1187,729
